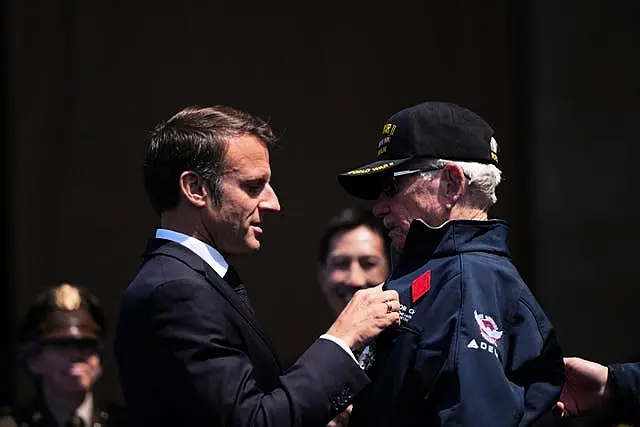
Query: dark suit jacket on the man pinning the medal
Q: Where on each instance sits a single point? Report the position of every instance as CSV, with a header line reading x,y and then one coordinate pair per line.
x,y
190,352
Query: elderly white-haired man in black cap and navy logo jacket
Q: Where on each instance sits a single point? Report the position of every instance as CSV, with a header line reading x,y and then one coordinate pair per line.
x,y
474,347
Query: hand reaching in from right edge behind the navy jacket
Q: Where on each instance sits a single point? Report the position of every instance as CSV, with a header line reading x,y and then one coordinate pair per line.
x,y
585,387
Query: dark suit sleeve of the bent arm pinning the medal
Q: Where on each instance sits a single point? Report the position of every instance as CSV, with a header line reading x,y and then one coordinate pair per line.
x,y
192,329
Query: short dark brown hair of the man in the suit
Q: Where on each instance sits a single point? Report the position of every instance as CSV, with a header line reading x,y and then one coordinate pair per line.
x,y
195,139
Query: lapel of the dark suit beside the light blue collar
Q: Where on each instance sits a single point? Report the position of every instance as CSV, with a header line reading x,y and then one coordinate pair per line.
x,y
185,255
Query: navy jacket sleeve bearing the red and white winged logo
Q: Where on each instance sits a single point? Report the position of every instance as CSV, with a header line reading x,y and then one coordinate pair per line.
x,y
497,375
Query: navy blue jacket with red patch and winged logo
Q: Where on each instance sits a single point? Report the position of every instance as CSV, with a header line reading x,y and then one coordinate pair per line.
x,y
474,348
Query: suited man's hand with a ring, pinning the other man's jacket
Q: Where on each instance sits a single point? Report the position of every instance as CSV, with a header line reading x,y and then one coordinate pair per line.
x,y
365,316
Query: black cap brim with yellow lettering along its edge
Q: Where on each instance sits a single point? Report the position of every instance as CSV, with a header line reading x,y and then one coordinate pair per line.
x,y
366,182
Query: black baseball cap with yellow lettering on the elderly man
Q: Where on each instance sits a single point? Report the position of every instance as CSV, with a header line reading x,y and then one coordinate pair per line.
x,y
437,130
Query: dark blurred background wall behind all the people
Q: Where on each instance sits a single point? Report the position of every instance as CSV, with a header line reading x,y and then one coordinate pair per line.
x,y
84,82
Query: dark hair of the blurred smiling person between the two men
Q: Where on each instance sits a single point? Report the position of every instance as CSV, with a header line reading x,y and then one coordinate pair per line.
x,y
349,219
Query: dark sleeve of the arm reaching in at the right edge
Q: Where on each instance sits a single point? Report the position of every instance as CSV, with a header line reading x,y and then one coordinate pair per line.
x,y
624,378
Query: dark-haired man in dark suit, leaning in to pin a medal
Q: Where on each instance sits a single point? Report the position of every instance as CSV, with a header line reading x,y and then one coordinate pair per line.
x,y
188,347
